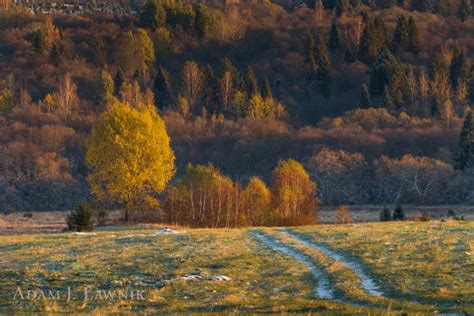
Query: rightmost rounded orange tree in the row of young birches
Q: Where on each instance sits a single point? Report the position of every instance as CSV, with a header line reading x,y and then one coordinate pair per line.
x,y
294,194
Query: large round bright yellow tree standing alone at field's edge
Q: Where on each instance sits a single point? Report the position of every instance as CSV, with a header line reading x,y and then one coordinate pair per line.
x,y
129,155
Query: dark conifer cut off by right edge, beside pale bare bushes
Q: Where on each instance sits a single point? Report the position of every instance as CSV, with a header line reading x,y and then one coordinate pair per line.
x,y
465,157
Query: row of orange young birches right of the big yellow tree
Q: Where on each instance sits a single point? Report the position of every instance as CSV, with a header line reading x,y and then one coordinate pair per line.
x,y
203,197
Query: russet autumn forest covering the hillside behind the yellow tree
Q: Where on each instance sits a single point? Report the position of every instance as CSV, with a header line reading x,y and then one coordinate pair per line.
x,y
372,98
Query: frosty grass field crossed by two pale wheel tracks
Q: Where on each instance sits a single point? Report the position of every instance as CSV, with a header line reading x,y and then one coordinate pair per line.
x,y
360,268
